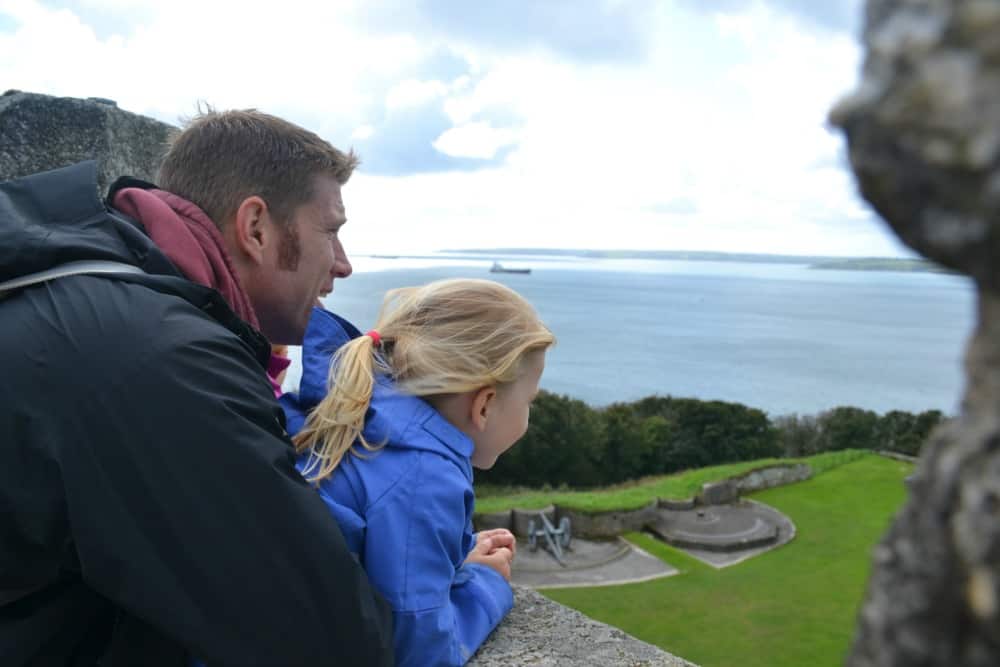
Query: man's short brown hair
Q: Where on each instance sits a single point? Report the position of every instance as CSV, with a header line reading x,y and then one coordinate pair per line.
x,y
220,158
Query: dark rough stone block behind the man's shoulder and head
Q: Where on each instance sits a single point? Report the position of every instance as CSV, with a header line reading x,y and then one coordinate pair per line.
x,y
41,132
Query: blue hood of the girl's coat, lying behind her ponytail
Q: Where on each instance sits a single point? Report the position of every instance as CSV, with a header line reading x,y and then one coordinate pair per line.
x,y
394,418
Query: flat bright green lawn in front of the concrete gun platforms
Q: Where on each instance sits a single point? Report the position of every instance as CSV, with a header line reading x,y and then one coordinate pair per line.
x,y
794,606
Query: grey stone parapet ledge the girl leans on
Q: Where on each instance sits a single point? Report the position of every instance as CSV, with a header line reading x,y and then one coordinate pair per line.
x,y
545,633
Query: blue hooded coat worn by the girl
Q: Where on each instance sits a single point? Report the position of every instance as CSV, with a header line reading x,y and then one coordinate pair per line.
x,y
406,512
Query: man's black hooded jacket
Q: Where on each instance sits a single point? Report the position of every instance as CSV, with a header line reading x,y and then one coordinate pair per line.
x,y
150,510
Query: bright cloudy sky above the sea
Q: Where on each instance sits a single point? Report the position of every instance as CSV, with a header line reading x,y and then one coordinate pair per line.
x,y
599,124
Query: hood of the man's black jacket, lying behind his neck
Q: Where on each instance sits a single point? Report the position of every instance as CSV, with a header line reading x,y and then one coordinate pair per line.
x,y
54,217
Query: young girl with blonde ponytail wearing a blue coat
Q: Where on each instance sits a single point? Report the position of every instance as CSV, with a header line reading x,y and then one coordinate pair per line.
x,y
442,383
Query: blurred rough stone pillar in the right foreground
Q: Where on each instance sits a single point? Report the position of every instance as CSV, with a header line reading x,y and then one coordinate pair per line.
x,y
923,129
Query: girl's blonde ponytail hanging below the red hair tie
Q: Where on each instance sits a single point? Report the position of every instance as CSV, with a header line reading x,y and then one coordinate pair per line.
x,y
336,423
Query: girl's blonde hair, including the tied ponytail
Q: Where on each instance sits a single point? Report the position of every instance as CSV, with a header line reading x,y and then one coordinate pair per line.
x,y
446,337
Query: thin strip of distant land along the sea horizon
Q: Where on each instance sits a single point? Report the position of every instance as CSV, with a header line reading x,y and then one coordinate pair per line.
x,y
813,261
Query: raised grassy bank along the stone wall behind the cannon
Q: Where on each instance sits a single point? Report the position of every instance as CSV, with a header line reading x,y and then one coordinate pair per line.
x,y
637,494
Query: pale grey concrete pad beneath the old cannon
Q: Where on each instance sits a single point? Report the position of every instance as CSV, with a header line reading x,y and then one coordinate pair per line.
x,y
586,563
